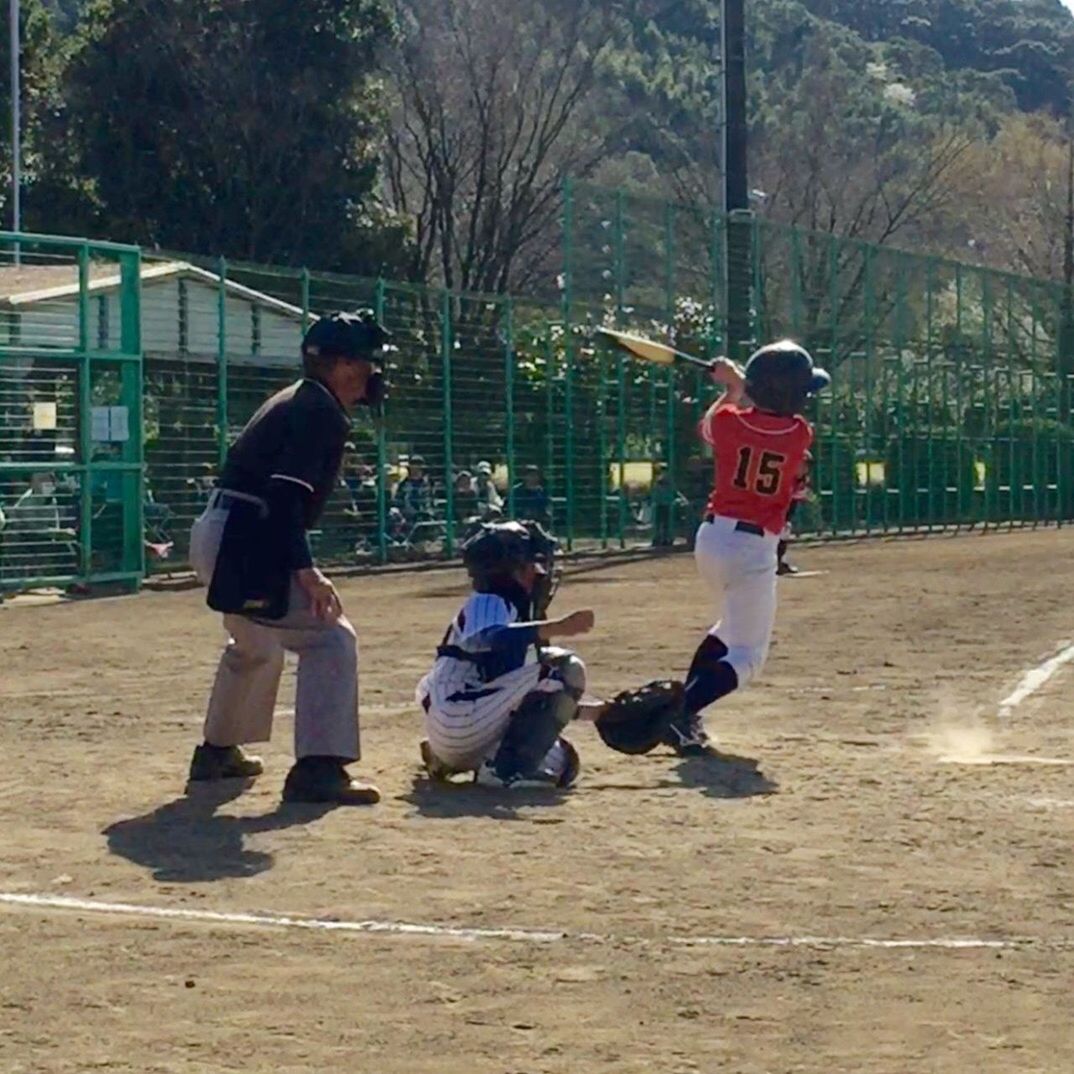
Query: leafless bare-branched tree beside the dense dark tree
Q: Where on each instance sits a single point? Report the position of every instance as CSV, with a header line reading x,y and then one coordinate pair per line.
x,y
494,108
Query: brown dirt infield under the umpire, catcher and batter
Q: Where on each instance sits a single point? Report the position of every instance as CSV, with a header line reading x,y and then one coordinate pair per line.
x,y
876,796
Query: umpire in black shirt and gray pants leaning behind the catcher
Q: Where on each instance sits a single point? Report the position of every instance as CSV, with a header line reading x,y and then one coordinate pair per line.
x,y
251,548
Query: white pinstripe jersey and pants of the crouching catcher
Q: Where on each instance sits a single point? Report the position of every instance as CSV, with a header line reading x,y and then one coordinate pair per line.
x,y
467,716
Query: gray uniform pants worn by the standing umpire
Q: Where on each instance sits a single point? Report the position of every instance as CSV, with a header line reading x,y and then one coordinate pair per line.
x,y
248,681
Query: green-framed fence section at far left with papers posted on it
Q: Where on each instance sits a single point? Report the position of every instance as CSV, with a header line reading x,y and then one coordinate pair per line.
x,y
71,458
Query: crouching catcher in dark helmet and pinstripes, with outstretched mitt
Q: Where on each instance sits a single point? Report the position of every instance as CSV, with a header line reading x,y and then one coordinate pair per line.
x,y
498,701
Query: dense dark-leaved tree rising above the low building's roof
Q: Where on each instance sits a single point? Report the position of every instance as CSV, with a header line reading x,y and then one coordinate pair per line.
x,y
236,128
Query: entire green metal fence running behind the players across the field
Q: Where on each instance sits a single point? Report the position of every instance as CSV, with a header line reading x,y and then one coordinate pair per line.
x,y
951,405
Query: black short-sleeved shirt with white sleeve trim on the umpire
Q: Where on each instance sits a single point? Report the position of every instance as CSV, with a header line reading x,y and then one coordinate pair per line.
x,y
297,438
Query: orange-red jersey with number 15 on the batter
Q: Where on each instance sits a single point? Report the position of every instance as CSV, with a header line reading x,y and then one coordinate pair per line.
x,y
759,461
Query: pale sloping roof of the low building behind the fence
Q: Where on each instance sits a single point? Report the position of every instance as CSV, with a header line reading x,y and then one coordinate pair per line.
x,y
28,285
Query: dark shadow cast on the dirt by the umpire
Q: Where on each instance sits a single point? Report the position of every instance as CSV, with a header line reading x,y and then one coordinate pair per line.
x,y
185,841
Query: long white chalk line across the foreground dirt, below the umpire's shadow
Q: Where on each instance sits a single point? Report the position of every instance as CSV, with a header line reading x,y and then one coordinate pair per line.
x,y
66,904
